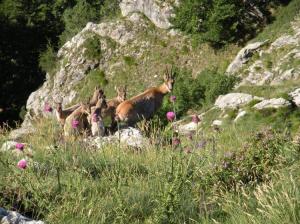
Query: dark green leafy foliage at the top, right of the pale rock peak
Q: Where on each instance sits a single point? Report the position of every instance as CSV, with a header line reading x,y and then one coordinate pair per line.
x,y
220,22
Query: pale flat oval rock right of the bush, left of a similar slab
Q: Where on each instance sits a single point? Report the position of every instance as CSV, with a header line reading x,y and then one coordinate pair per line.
x,y
234,100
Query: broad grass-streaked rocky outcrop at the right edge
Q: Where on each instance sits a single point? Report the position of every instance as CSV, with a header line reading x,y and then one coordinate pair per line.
x,y
275,64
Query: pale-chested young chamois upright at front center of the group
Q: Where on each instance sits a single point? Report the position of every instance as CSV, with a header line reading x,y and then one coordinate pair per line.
x,y
96,120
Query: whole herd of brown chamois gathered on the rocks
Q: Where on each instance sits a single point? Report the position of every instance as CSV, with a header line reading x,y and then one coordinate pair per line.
x,y
88,117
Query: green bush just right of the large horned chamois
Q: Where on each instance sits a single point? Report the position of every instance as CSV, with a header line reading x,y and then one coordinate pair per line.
x,y
193,93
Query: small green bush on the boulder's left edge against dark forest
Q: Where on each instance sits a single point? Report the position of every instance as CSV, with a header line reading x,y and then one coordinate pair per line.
x,y
47,59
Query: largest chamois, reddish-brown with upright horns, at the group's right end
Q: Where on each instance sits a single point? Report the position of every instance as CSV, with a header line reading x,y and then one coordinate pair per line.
x,y
144,105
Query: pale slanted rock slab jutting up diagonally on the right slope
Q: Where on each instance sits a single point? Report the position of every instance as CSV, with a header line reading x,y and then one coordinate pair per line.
x,y
243,56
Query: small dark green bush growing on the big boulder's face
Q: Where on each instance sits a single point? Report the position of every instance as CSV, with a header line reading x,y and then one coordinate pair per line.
x,y
93,48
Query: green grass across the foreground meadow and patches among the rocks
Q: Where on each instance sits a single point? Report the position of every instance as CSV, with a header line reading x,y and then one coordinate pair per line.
x,y
239,176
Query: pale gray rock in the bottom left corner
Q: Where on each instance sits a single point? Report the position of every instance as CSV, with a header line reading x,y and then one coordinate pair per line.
x,y
11,217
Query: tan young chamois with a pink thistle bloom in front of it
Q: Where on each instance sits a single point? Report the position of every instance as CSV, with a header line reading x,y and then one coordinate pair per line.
x,y
76,122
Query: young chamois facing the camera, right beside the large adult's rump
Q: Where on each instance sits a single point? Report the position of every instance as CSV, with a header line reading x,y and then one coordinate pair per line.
x,y
112,104
